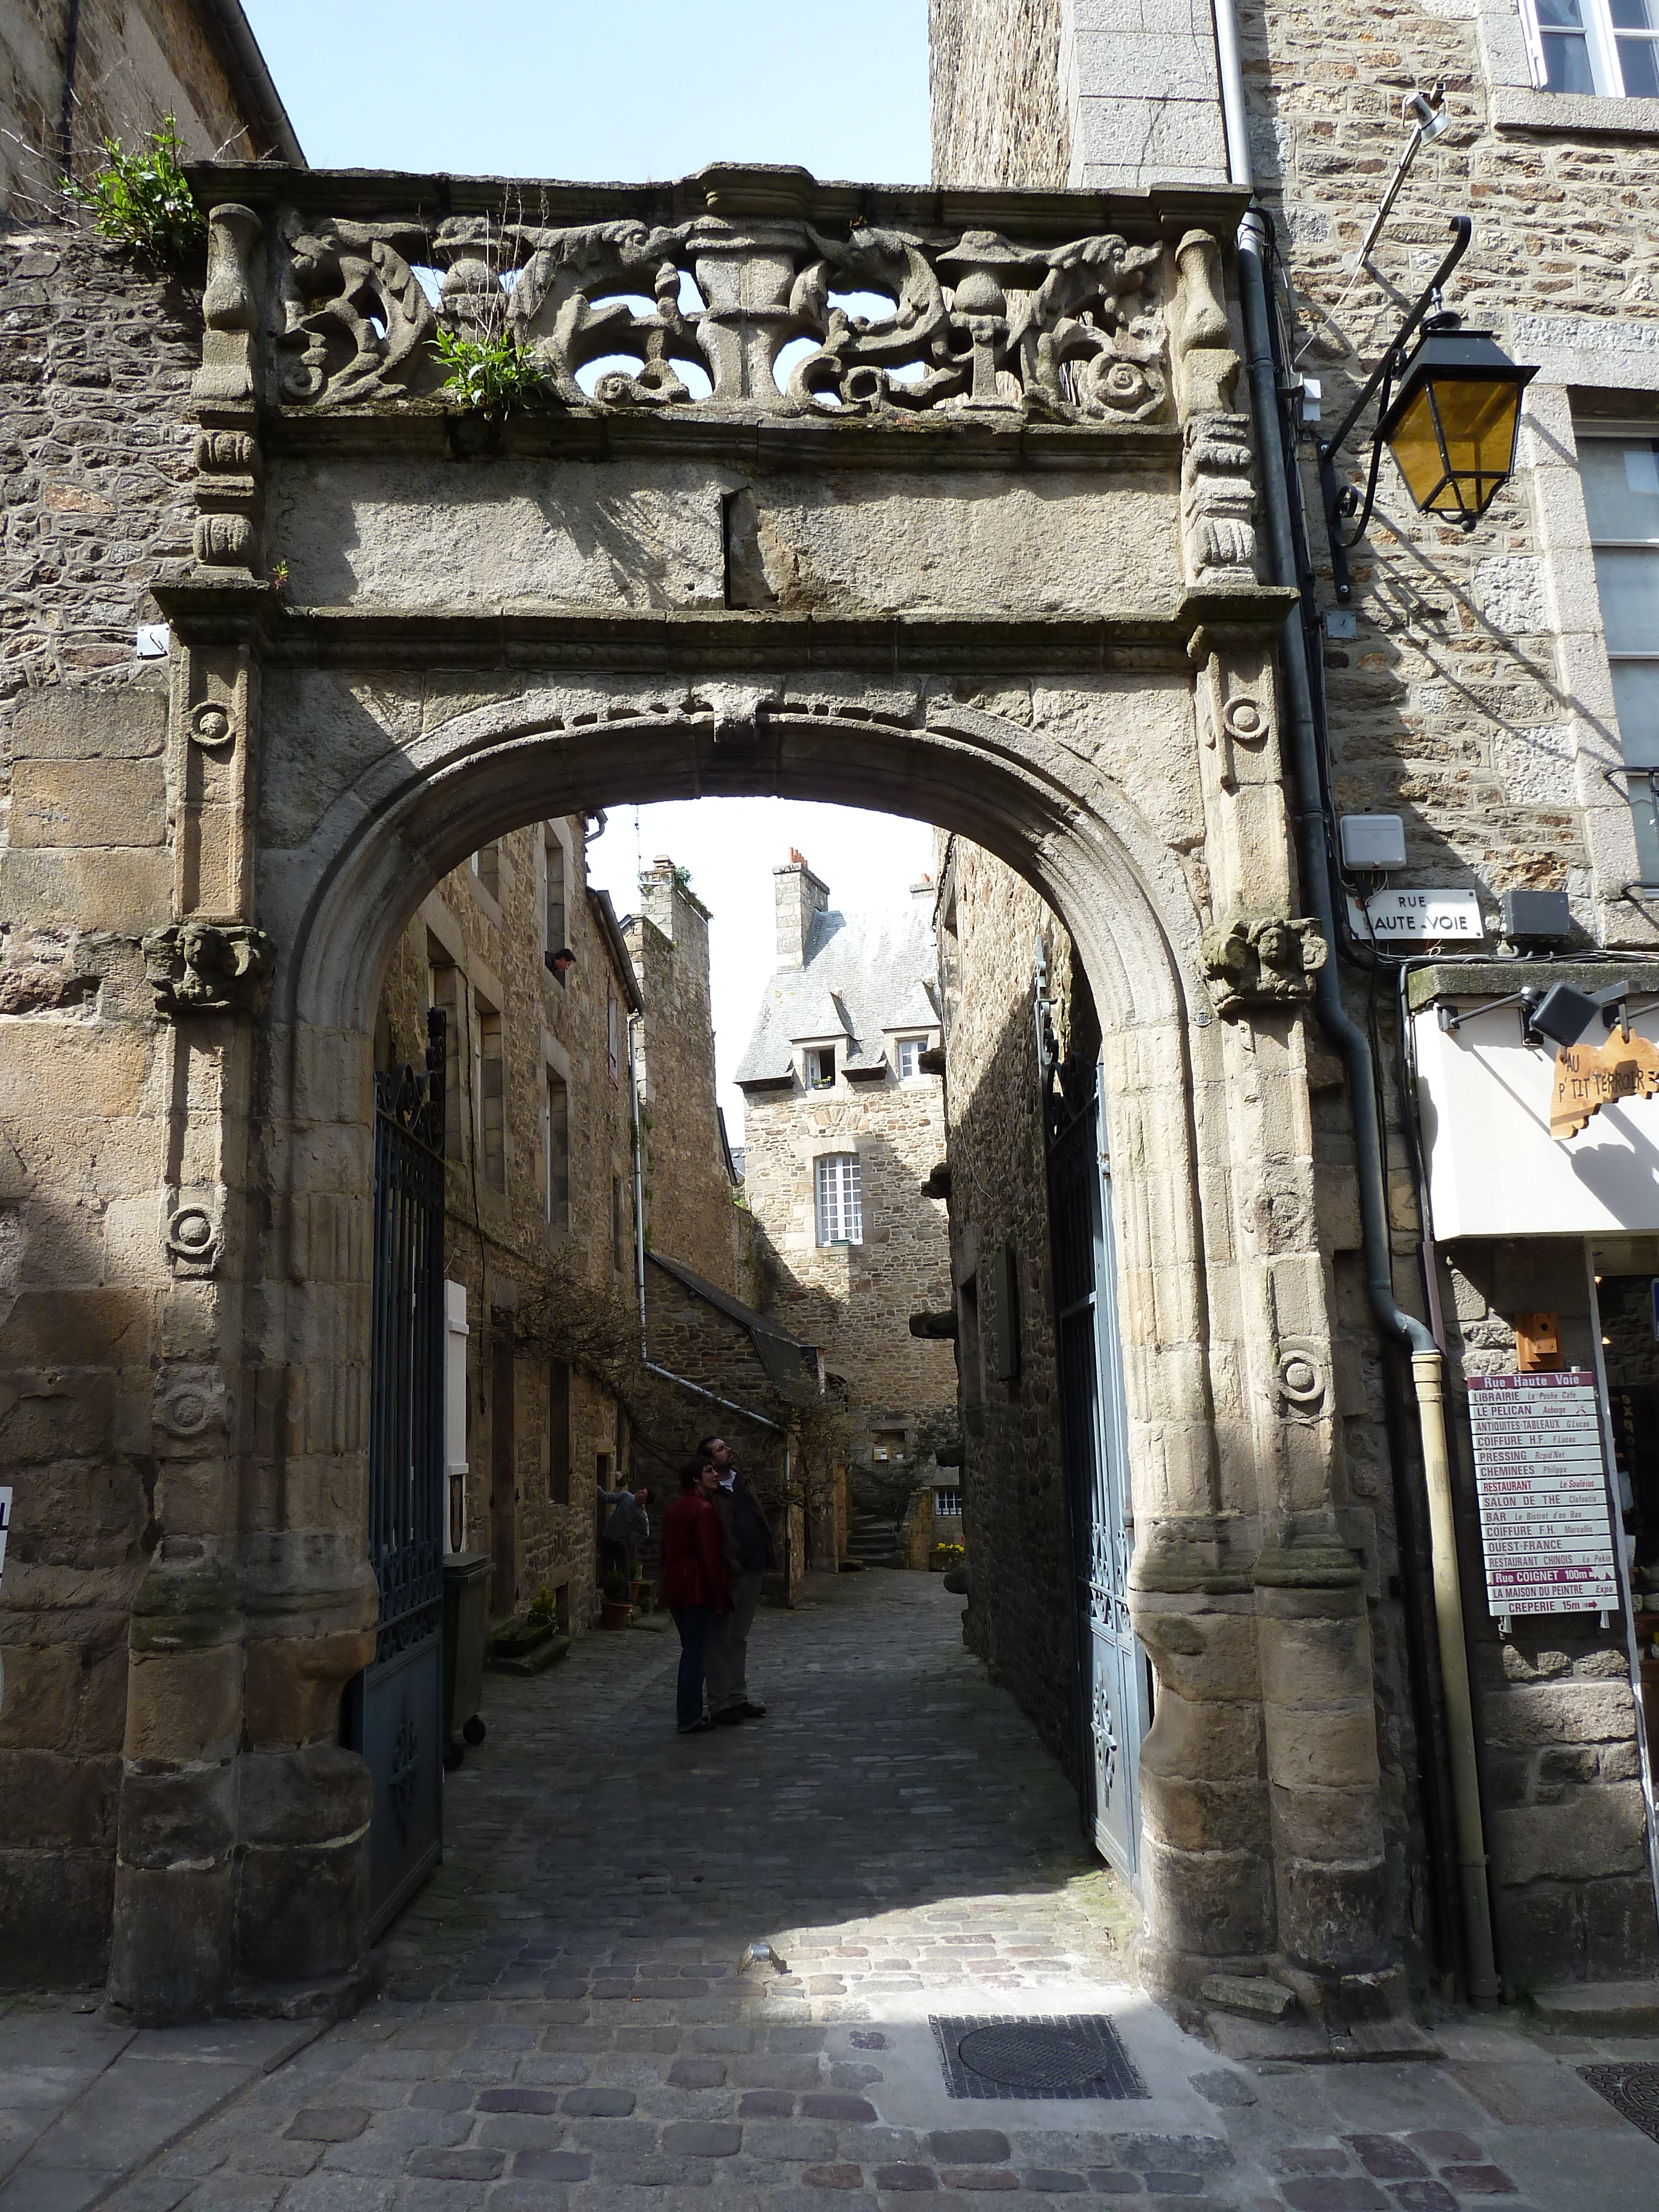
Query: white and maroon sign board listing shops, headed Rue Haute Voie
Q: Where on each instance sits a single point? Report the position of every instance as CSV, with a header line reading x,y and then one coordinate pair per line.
x,y
1543,1494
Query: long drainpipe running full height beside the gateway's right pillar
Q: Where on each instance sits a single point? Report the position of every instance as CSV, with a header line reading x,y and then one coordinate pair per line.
x,y
1428,1361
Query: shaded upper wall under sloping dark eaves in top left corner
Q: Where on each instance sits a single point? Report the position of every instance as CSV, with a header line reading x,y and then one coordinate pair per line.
x,y
136,63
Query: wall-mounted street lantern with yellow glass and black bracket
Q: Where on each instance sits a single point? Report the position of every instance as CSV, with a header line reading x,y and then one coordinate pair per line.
x,y
1450,426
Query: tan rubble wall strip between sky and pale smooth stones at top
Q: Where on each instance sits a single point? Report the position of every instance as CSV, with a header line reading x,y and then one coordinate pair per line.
x,y
994,79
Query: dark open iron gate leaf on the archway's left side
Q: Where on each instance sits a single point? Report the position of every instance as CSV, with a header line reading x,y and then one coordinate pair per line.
x,y
395,1715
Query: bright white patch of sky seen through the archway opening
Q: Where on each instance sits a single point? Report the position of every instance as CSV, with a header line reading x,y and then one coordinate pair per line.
x,y
731,848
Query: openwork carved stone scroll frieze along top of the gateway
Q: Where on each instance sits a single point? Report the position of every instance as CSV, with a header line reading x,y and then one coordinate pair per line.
x,y
977,324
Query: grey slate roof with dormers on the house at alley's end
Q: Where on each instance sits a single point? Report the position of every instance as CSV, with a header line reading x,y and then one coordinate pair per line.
x,y
864,974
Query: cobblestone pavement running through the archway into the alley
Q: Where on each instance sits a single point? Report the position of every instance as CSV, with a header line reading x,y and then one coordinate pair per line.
x,y
572,2027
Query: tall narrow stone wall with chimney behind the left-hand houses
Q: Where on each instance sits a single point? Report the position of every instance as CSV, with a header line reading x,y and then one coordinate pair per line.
x,y
689,1191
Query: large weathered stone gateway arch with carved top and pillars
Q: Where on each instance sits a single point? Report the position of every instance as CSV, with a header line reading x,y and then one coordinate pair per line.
x,y
1112,733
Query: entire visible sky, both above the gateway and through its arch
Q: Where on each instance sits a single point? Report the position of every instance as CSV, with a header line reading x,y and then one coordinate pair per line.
x,y
632,92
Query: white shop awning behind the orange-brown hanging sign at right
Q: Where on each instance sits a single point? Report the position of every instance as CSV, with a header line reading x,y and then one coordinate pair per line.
x,y
1494,1165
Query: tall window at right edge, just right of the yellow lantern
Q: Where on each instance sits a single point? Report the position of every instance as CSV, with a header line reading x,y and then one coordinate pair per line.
x,y
1620,477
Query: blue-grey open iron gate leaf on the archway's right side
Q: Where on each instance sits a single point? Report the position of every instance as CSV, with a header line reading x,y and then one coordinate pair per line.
x,y
1096,1452
